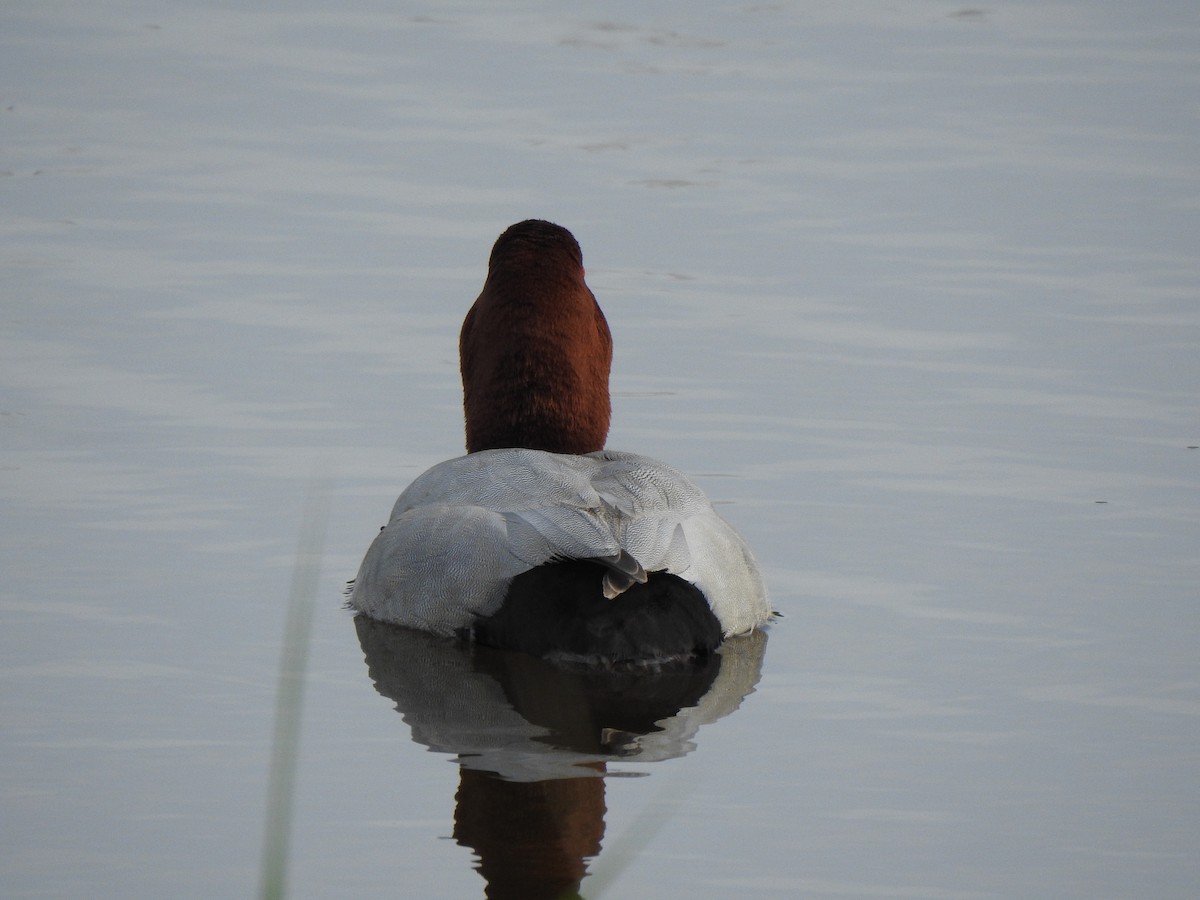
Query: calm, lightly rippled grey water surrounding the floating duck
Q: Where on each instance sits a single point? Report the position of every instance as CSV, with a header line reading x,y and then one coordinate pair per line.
x,y
910,287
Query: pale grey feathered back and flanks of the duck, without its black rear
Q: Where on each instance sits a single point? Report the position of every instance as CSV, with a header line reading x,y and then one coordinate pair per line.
x,y
465,531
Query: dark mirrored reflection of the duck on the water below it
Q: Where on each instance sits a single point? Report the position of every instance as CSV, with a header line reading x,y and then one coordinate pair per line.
x,y
533,741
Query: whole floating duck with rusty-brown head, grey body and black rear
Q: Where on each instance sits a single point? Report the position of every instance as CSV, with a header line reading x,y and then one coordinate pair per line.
x,y
541,539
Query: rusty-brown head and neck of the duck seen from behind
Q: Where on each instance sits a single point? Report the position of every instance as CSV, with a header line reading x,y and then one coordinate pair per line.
x,y
536,350
